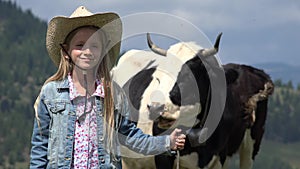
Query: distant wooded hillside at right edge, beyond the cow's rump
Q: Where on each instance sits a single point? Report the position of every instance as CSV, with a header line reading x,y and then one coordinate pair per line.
x,y
284,113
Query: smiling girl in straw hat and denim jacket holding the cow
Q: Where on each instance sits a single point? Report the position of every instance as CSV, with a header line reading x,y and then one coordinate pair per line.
x,y
81,115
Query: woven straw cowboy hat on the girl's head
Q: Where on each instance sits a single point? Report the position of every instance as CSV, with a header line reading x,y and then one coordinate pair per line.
x,y
59,27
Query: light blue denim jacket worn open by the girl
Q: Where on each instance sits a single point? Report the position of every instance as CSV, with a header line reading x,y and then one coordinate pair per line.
x,y
54,127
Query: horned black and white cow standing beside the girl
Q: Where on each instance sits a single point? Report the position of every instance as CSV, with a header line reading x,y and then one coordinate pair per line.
x,y
185,89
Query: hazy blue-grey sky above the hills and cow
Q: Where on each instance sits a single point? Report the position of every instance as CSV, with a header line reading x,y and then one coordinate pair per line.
x,y
254,31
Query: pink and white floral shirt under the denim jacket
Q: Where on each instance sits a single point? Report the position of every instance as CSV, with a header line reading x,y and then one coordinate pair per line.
x,y
85,152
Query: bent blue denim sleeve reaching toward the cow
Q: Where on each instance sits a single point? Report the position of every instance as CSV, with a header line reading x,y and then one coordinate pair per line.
x,y
134,138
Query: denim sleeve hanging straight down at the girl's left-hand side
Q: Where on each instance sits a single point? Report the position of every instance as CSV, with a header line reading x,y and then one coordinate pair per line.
x,y
40,135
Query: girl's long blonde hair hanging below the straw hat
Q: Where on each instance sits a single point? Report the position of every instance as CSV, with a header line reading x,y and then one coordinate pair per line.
x,y
103,73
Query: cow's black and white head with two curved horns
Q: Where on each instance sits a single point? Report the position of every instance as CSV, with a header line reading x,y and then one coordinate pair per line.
x,y
187,94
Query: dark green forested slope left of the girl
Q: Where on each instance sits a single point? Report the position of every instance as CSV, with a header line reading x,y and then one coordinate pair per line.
x,y
24,65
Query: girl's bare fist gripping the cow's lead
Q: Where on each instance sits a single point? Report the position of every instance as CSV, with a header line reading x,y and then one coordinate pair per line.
x,y
177,140
